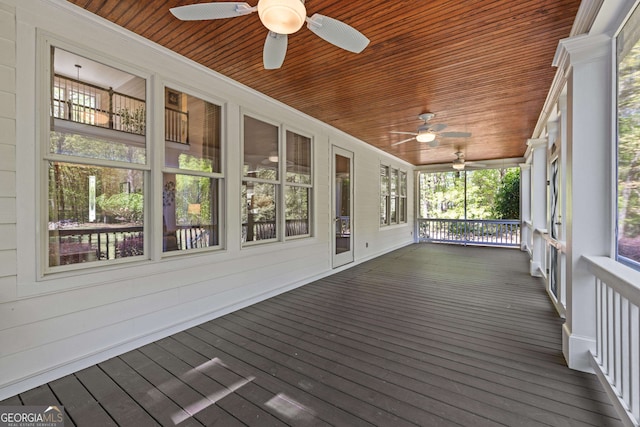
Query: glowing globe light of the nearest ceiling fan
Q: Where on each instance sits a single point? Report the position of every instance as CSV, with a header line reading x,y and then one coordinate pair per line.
x,y
282,16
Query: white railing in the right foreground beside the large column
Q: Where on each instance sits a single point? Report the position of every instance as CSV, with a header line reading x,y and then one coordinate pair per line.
x,y
616,359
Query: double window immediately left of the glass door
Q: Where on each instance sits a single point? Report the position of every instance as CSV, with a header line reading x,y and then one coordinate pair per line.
x,y
276,188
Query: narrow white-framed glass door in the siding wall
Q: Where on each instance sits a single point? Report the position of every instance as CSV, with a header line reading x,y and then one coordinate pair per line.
x,y
342,190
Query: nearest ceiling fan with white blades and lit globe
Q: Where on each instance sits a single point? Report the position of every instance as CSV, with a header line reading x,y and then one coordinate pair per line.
x,y
281,17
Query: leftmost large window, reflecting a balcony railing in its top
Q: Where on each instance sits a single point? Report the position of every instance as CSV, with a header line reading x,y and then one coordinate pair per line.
x,y
96,162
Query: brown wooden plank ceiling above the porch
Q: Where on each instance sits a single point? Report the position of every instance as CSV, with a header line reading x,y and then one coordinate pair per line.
x,y
481,66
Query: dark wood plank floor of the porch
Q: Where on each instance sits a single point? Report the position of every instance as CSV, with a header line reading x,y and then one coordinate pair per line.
x,y
428,335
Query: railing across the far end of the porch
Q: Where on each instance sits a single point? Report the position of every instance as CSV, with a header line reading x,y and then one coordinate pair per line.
x,y
493,232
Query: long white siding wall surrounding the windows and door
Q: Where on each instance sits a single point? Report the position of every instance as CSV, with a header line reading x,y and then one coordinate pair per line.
x,y
56,325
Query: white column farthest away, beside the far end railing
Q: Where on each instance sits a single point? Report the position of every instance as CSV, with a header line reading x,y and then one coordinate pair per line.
x,y
538,174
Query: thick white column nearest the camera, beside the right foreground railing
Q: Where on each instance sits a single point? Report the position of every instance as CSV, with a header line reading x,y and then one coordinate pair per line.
x,y
589,190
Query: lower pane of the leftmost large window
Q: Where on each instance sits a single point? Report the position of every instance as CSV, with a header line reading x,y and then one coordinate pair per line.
x,y
95,213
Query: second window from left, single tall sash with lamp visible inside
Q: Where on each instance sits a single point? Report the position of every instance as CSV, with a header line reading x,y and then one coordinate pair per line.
x,y
192,176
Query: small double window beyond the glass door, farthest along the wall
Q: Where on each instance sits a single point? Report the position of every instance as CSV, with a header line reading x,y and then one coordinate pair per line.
x,y
393,196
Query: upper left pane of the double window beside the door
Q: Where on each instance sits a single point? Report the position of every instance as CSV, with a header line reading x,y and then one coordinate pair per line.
x,y
261,155
